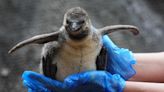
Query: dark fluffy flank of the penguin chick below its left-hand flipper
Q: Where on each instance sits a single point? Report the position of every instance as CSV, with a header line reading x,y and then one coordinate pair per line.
x,y
49,67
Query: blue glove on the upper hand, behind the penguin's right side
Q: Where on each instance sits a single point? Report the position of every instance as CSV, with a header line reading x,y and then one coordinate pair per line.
x,y
120,60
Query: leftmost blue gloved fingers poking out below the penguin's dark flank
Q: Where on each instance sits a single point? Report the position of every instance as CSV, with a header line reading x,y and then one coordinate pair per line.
x,y
38,81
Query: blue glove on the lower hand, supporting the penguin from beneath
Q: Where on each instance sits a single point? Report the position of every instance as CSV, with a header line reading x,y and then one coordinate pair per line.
x,y
91,81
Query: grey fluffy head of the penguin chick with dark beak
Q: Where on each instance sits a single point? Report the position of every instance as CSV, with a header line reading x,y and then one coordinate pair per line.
x,y
77,23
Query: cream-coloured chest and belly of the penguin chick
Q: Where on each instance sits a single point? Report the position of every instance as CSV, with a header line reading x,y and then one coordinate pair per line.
x,y
77,59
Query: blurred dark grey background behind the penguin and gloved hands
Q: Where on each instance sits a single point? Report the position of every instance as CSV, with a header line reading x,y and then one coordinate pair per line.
x,y
21,19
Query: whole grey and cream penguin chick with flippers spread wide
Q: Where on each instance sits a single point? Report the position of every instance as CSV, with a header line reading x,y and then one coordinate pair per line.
x,y
76,47
